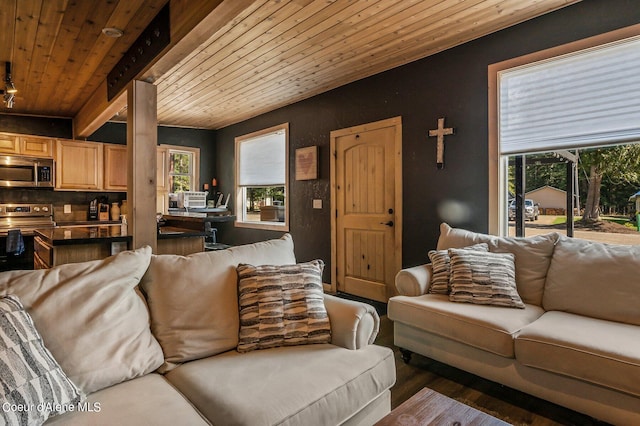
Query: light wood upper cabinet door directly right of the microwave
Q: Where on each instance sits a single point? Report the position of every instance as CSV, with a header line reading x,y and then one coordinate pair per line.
x,y
79,165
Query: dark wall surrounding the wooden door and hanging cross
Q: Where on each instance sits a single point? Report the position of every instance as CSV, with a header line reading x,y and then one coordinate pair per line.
x,y
451,84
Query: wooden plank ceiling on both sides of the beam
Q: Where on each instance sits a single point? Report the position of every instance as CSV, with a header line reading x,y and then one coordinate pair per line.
x,y
269,54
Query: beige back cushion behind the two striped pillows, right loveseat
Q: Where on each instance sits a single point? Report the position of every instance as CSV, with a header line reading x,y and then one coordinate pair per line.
x,y
532,256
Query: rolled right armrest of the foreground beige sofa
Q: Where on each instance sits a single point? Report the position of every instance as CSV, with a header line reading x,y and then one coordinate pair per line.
x,y
354,325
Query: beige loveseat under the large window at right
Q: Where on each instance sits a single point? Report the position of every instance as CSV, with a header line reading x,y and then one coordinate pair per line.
x,y
575,341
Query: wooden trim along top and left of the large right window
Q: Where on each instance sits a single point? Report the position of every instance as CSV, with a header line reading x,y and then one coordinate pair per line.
x,y
497,223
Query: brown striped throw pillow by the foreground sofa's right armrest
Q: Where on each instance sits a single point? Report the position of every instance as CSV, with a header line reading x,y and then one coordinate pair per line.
x,y
281,306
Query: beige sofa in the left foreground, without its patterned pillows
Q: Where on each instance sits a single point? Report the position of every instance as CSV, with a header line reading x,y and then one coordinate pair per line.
x,y
152,340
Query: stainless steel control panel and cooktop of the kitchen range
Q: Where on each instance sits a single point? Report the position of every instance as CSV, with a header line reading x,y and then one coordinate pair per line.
x,y
25,217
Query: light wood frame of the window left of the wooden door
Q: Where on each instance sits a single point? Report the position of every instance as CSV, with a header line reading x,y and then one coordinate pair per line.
x,y
240,221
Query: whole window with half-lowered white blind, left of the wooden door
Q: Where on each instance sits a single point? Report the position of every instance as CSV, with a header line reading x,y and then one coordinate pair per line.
x,y
262,179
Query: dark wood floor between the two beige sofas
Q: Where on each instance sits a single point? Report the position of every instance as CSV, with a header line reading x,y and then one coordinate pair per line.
x,y
510,405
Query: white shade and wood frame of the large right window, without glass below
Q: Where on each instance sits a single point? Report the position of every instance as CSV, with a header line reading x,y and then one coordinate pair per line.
x,y
583,95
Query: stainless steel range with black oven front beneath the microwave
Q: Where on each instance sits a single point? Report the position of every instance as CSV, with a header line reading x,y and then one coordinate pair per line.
x,y
26,218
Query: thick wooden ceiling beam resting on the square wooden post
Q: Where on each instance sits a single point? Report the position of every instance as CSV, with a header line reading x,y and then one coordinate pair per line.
x,y
192,22
